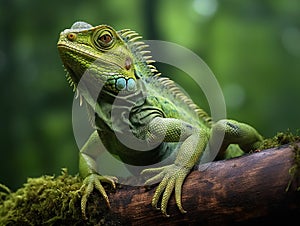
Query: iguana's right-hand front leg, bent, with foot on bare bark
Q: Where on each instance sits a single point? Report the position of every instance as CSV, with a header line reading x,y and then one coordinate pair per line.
x,y
172,176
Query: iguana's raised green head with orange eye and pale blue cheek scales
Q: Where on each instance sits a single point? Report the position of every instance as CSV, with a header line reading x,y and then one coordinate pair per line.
x,y
102,52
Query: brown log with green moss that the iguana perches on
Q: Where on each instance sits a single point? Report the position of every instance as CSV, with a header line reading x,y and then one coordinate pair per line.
x,y
250,189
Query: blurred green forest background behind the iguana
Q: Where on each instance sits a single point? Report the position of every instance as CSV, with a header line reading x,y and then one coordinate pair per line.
x,y
253,48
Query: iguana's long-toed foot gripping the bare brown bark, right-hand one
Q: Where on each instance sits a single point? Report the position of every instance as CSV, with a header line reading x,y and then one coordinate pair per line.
x,y
171,177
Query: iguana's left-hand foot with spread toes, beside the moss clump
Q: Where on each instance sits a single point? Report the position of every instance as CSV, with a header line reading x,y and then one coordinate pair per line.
x,y
94,181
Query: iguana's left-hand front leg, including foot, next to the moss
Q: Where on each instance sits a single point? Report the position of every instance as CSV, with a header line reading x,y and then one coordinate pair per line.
x,y
87,169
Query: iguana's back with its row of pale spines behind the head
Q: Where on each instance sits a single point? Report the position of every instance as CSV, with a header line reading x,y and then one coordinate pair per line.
x,y
158,86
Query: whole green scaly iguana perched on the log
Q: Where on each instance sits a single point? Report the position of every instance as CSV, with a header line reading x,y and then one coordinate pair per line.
x,y
156,111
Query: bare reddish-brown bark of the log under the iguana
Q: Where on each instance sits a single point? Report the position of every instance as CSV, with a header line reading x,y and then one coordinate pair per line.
x,y
249,189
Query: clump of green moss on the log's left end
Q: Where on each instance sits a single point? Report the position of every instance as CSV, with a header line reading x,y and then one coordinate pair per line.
x,y
50,200
